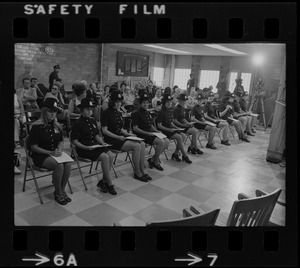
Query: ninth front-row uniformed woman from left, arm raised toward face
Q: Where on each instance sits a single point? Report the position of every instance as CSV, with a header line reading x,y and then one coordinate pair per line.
x,y
226,112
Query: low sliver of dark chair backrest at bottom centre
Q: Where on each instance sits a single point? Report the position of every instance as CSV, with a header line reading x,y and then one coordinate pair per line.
x,y
206,219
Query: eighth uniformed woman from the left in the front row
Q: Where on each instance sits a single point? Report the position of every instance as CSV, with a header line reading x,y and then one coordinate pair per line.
x,y
210,114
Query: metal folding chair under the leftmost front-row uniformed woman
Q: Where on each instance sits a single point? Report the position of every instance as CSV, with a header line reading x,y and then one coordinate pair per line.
x,y
29,166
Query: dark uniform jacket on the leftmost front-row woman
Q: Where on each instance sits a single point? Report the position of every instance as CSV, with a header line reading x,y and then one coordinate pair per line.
x,y
47,138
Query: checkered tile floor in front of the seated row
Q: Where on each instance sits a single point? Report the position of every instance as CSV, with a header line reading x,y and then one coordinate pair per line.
x,y
214,179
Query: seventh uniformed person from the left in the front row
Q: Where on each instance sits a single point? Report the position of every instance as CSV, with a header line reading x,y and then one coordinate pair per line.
x,y
198,117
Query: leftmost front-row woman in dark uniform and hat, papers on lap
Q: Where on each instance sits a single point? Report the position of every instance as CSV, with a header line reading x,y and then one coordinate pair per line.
x,y
46,140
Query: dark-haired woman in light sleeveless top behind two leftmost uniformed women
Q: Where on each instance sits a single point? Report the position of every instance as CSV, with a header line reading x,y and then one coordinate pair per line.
x,y
74,110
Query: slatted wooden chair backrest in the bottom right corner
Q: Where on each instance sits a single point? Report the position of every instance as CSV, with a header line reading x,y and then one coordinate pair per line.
x,y
253,211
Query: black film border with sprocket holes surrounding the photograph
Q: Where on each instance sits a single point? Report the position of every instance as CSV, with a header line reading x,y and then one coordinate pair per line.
x,y
253,253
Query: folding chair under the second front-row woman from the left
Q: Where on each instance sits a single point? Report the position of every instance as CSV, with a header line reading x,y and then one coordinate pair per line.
x,y
89,163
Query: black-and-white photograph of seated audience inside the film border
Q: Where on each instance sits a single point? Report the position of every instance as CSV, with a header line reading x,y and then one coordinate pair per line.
x,y
150,134
